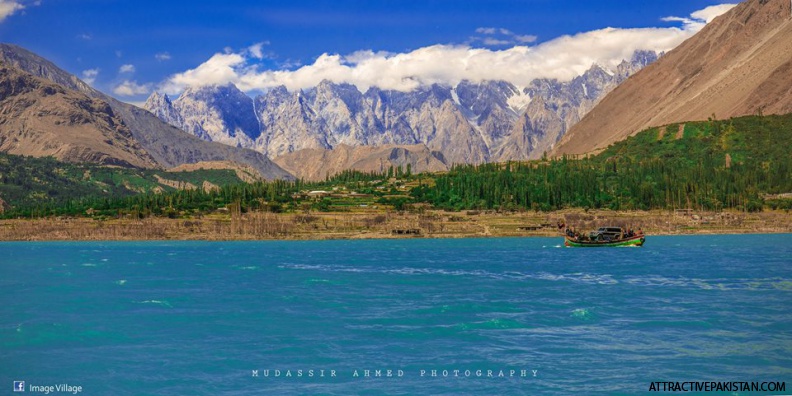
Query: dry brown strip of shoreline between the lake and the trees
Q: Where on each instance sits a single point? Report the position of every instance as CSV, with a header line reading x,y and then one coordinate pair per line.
x,y
427,224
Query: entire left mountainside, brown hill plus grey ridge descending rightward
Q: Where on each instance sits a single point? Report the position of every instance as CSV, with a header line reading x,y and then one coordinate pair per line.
x,y
47,111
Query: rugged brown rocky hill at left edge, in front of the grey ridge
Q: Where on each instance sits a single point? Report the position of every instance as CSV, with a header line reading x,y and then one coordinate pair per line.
x,y
39,118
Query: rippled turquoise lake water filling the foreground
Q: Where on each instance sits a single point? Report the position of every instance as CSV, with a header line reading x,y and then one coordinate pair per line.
x,y
186,318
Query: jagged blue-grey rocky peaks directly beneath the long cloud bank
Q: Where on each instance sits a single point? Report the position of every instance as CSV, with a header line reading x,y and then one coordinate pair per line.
x,y
469,123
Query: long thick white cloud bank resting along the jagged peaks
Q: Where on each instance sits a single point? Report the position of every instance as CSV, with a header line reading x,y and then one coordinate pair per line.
x,y
562,58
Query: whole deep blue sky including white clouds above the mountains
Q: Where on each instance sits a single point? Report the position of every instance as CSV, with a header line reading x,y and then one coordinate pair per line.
x,y
129,48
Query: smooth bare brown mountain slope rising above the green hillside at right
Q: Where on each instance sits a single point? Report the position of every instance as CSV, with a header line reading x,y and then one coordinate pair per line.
x,y
739,64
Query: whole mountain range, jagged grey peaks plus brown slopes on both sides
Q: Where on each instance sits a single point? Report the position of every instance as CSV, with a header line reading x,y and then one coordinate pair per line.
x,y
739,64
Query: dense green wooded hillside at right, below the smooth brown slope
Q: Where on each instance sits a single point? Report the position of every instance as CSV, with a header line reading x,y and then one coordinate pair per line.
x,y
714,165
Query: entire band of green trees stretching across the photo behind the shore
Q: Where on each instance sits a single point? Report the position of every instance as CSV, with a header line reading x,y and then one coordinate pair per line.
x,y
711,165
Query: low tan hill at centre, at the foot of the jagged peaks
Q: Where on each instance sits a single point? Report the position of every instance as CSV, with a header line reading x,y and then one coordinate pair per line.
x,y
316,164
